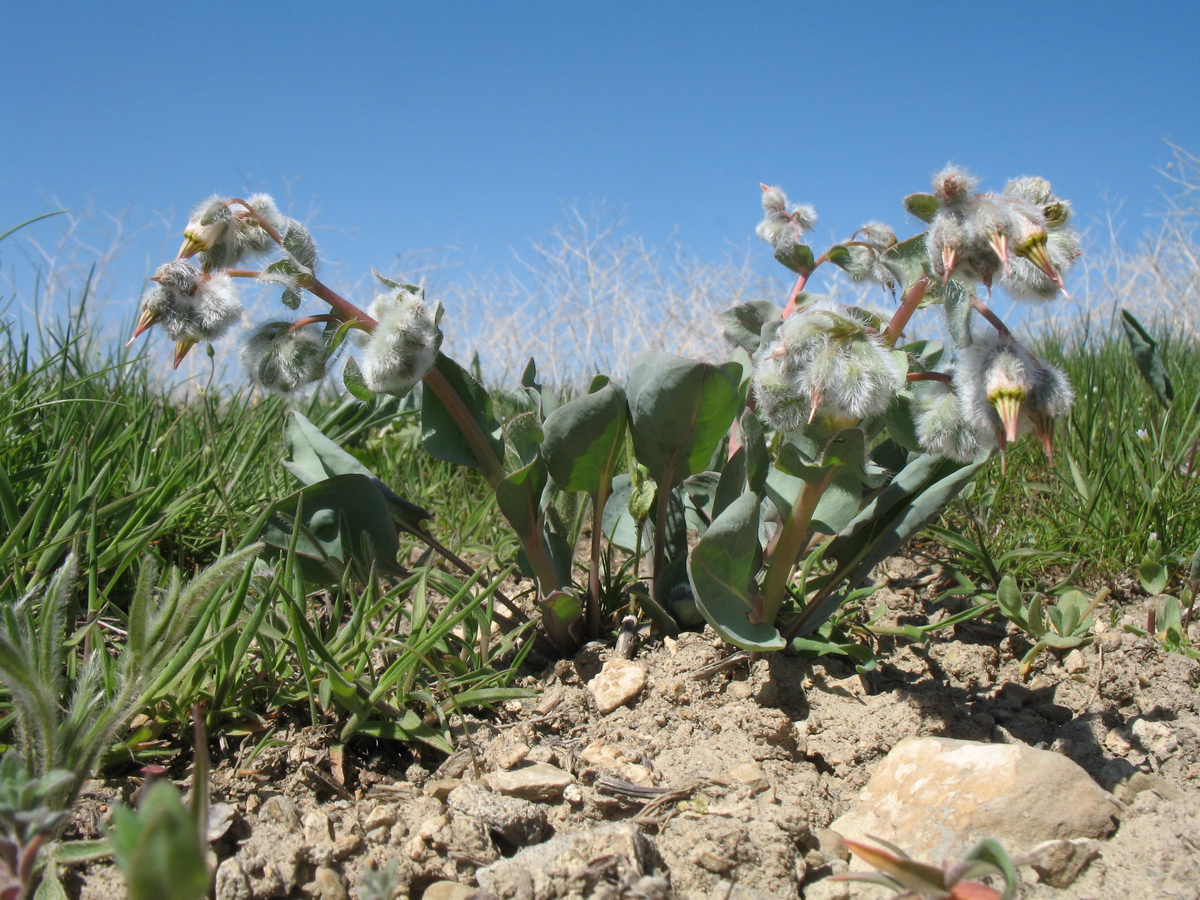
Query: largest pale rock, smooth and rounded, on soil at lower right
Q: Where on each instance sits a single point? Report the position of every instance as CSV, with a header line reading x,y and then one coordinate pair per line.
x,y
937,797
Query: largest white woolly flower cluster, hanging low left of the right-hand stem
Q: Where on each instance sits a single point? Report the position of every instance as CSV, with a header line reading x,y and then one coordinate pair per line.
x,y
835,361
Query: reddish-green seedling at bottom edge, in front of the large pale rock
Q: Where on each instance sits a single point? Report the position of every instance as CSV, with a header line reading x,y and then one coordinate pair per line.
x,y
908,878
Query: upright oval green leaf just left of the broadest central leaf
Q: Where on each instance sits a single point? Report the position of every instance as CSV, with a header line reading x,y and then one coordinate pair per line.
x,y
584,440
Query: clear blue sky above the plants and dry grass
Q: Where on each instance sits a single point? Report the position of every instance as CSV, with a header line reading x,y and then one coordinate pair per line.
x,y
400,127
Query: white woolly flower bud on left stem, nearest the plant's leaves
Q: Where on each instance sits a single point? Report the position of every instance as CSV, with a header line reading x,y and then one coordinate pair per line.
x,y
405,344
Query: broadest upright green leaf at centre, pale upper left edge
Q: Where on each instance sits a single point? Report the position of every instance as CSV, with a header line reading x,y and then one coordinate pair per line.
x,y
680,412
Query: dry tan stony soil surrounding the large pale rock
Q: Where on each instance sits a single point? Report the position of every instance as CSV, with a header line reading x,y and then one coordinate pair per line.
x,y
725,772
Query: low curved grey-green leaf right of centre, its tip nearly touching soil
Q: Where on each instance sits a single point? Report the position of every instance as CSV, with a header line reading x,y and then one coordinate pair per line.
x,y
722,571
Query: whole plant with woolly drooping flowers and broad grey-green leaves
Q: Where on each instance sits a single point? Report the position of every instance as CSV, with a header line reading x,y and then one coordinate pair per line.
x,y
847,463
